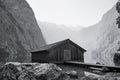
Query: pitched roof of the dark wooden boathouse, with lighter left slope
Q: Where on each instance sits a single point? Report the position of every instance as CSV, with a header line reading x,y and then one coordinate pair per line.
x,y
49,46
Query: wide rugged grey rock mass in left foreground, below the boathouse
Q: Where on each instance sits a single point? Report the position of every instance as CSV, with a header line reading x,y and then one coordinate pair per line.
x,y
31,71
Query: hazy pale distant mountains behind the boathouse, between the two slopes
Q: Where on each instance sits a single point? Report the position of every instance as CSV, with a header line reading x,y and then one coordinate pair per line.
x,y
53,32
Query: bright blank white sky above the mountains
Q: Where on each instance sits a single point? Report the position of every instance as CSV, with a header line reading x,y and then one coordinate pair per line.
x,y
71,12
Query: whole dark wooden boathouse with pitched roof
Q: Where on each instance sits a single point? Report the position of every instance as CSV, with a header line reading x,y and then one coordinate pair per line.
x,y
59,52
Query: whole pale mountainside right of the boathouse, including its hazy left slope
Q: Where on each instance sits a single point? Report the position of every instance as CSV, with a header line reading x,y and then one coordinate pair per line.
x,y
101,39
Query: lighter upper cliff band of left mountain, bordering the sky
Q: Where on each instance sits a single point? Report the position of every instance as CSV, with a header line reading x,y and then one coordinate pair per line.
x,y
29,33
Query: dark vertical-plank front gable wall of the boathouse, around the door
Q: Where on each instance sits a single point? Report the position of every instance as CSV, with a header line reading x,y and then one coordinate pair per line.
x,y
56,54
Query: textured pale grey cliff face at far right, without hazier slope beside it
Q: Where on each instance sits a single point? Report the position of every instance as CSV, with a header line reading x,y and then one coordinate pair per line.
x,y
107,39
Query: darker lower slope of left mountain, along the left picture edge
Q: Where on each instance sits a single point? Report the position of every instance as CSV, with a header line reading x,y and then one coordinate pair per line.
x,y
10,45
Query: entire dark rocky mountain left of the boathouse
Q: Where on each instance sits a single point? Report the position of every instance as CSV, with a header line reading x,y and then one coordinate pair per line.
x,y
19,31
